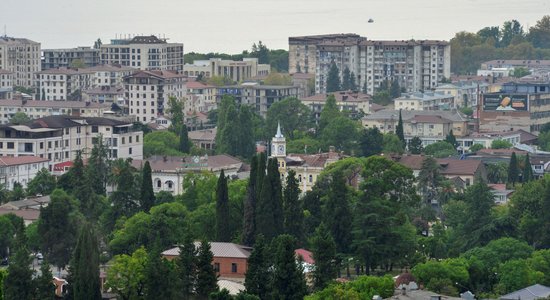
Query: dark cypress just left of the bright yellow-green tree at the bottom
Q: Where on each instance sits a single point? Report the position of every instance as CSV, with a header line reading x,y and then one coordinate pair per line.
x,y
86,266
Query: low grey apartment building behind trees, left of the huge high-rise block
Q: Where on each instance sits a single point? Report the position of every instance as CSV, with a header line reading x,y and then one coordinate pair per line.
x,y
260,97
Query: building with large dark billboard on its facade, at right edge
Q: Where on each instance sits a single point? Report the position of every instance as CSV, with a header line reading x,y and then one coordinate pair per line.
x,y
518,105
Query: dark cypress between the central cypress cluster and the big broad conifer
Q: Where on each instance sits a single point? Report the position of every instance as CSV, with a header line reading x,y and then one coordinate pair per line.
x,y
338,212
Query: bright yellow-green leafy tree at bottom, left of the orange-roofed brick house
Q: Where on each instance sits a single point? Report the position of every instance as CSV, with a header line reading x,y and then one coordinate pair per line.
x,y
126,275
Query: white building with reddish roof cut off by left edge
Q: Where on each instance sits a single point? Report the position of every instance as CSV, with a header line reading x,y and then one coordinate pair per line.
x,y
20,169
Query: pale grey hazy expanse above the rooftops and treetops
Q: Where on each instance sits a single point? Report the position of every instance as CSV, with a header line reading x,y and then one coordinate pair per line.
x,y
233,25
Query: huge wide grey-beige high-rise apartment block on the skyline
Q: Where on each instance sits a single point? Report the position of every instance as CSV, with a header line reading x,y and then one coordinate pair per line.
x,y
416,65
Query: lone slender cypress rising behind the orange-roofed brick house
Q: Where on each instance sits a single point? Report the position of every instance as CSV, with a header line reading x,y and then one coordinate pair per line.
x,y
223,232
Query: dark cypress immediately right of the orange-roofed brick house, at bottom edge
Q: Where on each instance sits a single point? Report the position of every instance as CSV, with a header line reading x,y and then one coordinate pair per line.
x,y
258,273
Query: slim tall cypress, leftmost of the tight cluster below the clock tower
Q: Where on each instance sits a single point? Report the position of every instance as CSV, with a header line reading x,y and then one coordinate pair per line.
x,y
249,222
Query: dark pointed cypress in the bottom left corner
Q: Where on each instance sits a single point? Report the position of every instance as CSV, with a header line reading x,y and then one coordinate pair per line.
x,y
18,283
